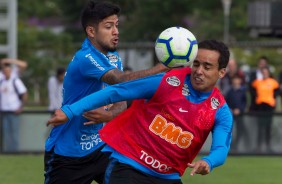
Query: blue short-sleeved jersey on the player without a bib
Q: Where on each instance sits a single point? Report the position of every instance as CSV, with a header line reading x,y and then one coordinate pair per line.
x,y
83,77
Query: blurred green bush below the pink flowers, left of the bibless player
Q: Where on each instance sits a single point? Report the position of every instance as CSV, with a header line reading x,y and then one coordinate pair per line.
x,y
45,51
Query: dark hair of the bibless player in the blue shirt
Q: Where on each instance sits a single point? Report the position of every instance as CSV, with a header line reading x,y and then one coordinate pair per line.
x,y
95,11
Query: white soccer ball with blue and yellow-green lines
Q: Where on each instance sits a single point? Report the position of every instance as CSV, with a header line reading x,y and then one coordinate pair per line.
x,y
176,47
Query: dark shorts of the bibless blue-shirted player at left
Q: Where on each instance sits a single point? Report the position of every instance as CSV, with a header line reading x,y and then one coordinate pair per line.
x,y
75,170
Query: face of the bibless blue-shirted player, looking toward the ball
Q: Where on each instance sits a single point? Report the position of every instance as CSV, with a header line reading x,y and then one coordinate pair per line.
x,y
106,35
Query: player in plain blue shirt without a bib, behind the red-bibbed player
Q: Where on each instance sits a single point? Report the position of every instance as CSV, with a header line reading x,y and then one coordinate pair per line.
x,y
72,150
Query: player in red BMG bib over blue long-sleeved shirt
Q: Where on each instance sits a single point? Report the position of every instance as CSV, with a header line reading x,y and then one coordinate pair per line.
x,y
158,137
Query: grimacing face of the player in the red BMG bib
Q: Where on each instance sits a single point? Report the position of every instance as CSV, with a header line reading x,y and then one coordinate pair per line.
x,y
205,72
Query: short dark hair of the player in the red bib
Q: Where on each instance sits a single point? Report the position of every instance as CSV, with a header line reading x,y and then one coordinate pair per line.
x,y
220,47
